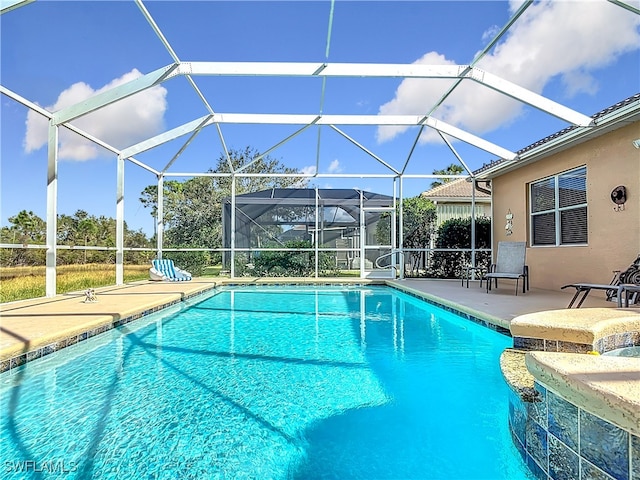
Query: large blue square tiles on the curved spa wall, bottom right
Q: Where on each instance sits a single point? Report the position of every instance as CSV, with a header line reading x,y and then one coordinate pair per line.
x,y
560,441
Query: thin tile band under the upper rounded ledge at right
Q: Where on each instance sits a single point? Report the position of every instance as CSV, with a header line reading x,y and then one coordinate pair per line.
x,y
603,345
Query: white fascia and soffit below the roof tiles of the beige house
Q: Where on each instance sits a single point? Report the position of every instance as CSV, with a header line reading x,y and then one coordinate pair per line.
x,y
617,119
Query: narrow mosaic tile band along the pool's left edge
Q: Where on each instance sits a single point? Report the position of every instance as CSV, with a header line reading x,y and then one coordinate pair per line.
x,y
19,360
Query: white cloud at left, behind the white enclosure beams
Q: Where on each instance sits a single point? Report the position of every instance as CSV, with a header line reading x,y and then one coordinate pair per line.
x,y
120,124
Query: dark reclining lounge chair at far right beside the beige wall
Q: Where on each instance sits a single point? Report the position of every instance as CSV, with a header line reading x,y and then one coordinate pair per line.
x,y
623,282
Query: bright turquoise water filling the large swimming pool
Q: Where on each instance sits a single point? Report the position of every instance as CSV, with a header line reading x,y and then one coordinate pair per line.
x,y
268,383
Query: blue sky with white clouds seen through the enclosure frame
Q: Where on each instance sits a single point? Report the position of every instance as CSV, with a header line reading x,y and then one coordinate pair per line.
x,y
582,54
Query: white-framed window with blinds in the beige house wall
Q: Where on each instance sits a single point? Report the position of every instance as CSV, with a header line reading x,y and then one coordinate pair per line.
x,y
558,209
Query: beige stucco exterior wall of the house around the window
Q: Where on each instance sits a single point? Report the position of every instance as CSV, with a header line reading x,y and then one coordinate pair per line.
x,y
614,236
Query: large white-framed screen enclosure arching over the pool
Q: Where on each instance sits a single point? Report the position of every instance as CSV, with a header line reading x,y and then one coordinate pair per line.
x,y
139,96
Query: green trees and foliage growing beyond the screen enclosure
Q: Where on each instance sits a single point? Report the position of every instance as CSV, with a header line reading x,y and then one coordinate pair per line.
x,y
192,218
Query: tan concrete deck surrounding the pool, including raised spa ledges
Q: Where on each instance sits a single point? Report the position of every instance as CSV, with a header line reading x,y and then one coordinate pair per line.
x,y
32,328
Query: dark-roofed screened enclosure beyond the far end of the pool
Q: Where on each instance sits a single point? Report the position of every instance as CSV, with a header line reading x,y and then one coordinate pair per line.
x,y
341,229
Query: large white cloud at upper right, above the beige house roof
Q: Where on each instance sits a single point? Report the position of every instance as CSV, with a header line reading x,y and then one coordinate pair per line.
x,y
552,39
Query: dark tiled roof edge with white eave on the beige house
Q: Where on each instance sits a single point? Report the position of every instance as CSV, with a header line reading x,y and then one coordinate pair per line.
x,y
618,115
